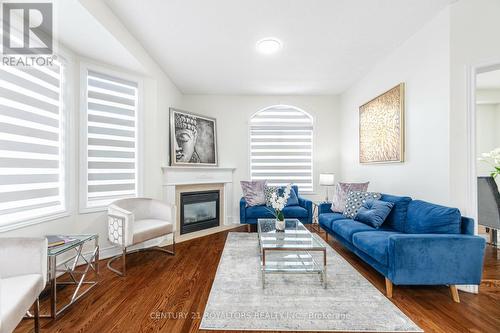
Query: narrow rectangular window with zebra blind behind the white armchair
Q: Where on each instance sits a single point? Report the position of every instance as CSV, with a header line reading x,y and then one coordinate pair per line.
x,y
110,121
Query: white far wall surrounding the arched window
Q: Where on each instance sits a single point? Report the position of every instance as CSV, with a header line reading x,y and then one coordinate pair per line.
x,y
233,113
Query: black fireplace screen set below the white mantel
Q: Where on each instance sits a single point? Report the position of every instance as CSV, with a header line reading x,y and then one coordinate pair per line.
x,y
199,210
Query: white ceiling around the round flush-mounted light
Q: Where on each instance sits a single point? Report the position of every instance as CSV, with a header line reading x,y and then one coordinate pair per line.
x,y
208,47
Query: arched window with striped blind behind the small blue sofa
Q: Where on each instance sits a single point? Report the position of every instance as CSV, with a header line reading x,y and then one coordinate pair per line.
x,y
281,147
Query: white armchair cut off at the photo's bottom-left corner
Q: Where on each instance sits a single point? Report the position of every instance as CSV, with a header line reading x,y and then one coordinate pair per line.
x,y
23,275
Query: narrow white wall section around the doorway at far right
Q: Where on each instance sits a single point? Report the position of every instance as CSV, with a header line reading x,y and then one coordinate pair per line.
x,y
473,41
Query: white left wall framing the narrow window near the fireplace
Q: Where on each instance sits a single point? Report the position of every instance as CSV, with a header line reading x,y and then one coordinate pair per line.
x,y
158,94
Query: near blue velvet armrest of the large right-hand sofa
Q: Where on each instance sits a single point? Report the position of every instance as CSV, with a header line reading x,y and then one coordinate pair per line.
x,y
435,259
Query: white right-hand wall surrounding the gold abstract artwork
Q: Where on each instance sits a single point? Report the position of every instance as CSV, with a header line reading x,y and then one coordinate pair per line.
x,y
422,62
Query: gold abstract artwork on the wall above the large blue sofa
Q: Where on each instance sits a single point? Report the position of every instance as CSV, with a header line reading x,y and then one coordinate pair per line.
x,y
381,128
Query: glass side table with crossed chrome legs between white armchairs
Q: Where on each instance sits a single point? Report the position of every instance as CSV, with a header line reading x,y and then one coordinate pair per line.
x,y
78,275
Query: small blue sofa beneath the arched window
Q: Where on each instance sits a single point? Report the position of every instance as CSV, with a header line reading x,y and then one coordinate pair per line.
x,y
302,212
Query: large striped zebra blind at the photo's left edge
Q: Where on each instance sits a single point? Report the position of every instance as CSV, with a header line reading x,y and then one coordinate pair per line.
x,y
32,150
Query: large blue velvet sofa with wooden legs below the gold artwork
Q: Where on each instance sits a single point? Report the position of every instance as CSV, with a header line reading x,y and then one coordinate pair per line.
x,y
419,243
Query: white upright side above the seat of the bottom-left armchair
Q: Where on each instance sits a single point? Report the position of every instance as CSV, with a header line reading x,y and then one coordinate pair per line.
x,y
20,256
